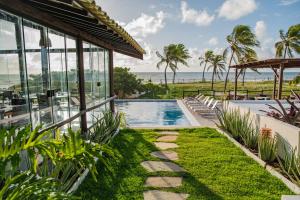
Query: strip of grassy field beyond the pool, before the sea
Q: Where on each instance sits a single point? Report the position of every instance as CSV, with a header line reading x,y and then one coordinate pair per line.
x,y
176,90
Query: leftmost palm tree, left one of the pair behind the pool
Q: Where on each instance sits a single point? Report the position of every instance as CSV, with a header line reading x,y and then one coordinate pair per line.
x,y
166,59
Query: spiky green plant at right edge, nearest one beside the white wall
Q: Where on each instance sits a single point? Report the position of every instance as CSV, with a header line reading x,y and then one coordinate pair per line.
x,y
290,165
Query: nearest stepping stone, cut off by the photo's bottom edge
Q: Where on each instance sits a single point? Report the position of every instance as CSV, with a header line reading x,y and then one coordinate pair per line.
x,y
161,195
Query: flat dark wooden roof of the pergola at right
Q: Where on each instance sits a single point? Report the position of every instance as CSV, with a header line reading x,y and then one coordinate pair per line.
x,y
270,63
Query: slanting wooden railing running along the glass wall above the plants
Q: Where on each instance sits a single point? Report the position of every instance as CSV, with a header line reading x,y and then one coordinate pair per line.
x,y
69,120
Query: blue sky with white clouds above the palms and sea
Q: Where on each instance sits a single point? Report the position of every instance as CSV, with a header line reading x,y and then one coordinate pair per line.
x,y
199,25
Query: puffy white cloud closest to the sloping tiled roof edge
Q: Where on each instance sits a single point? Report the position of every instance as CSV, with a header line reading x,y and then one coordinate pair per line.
x,y
146,25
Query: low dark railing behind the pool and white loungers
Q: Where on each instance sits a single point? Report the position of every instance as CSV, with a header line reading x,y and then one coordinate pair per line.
x,y
246,93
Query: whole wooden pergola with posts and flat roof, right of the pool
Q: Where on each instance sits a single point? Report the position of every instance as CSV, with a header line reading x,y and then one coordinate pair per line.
x,y
277,65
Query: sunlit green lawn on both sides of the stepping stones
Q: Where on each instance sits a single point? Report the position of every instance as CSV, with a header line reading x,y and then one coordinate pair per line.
x,y
216,169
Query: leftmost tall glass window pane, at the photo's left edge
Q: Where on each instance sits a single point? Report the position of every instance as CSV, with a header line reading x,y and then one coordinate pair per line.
x,y
14,108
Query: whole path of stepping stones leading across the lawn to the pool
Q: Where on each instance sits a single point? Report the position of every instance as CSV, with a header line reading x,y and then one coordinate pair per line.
x,y
164,142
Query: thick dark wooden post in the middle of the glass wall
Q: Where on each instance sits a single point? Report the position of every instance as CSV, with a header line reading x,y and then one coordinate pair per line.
x,y
80,61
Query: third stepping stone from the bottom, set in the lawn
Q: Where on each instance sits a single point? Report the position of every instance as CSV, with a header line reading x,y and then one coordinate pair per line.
x,y
160,166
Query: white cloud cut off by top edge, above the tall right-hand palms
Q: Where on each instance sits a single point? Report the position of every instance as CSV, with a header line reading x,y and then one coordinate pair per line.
x,y
235,9
